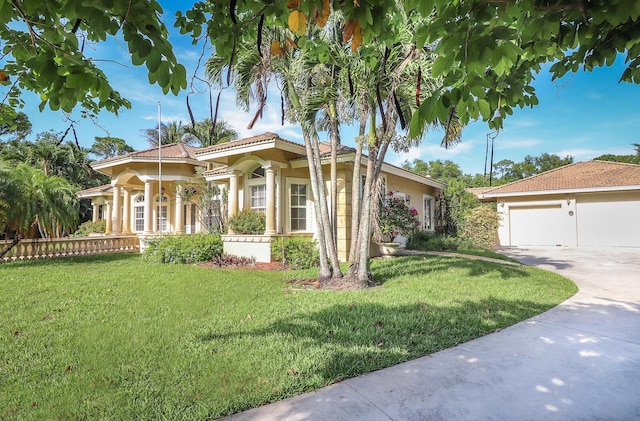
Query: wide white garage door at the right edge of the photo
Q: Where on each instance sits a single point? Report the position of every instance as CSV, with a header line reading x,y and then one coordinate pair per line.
x,y
608,219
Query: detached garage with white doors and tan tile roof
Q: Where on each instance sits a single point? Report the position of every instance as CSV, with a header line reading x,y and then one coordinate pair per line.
x,y
586,204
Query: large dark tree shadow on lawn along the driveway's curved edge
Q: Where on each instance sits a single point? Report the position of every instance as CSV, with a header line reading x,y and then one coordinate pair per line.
x,y
346,340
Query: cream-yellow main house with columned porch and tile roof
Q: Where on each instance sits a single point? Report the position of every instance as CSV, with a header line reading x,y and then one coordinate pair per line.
x,y
265,173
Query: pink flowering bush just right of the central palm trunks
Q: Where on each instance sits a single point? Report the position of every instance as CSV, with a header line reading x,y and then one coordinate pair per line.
x,y
396,218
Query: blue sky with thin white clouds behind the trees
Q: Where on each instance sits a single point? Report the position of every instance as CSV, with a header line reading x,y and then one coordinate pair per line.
x,y
584,115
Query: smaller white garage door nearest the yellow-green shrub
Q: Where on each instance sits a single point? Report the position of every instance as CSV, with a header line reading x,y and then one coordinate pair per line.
x,y
537,226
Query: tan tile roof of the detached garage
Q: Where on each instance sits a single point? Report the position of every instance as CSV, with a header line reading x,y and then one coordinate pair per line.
x,y
581,175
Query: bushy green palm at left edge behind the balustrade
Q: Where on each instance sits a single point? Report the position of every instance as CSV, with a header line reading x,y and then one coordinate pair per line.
x,y
40,205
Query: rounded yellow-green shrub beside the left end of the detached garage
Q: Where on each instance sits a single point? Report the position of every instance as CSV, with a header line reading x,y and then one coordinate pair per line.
x,y
479,229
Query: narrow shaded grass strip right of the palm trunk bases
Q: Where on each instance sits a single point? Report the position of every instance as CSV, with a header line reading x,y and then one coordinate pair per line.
x,y
387,269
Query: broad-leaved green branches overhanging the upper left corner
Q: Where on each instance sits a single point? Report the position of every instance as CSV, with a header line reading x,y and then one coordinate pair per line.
x,y
45,49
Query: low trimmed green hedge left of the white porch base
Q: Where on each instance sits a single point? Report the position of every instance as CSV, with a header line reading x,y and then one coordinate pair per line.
x,y
192,248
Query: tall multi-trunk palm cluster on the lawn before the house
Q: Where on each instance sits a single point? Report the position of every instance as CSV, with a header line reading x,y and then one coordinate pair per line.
x,y
385,95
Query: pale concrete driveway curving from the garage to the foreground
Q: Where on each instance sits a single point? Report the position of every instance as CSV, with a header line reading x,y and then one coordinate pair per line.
x,y
578,361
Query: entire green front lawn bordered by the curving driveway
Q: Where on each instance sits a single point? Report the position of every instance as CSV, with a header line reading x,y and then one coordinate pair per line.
x,y
114,337
